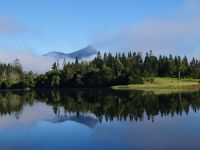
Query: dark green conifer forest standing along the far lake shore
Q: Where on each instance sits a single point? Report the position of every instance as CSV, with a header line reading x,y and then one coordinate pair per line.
x,y
103,71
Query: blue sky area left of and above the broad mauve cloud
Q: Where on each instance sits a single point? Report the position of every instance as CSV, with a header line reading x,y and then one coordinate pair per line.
x,y
68,25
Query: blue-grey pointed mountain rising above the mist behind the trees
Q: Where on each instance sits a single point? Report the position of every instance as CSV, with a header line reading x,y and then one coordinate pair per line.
x,y
80,54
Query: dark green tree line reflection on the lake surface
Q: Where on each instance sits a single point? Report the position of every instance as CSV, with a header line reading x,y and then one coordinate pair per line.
x,y
104,103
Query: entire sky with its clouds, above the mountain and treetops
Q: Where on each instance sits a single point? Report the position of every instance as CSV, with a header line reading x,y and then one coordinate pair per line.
x,y
41,26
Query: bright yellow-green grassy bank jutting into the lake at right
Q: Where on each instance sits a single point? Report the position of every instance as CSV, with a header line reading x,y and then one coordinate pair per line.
x,y
164,85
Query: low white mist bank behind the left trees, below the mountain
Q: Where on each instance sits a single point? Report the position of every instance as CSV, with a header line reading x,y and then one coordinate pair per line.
x,y
32,62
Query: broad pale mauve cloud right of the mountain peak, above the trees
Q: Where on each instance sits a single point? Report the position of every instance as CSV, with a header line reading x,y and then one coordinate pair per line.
x,y
177,34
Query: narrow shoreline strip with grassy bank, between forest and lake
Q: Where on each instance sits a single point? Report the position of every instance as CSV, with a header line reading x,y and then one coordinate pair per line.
x,y
160,85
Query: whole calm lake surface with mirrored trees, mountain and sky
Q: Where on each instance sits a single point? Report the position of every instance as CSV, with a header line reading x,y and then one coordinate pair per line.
x,y
98,119
